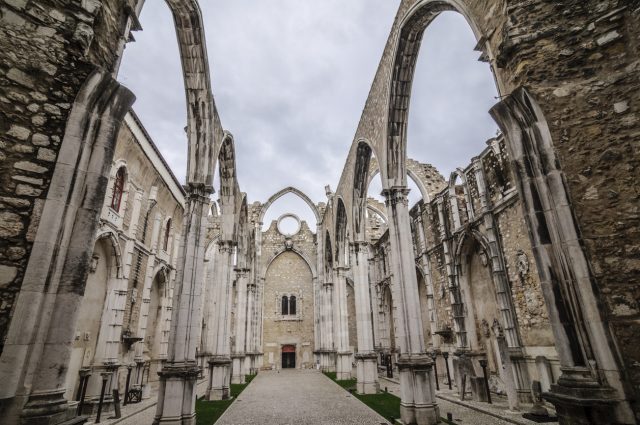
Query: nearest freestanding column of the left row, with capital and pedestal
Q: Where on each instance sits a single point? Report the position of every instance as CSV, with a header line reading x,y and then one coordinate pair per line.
x,y
177,391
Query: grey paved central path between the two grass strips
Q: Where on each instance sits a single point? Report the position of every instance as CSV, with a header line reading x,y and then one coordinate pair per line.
x,y
297,397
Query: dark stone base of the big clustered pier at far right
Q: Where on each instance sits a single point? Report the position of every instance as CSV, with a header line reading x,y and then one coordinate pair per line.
x,y
580,400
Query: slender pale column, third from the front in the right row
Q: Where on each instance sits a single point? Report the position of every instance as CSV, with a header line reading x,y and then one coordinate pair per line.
x,y
341,325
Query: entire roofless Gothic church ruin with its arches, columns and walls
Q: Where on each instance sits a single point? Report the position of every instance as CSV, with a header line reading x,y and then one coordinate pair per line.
x,y
523,261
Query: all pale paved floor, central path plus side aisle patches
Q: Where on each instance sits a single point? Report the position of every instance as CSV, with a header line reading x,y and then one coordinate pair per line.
x,y
308,397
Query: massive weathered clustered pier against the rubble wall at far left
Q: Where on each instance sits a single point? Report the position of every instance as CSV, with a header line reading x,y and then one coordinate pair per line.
x,y
37,349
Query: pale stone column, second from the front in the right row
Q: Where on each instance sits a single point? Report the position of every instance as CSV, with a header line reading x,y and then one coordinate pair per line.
x,y
366,358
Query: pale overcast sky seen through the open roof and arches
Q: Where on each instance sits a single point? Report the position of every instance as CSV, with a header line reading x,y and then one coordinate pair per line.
x,y
290,80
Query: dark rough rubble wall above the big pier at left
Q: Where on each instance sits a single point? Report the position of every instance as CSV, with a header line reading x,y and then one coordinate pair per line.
x,y
49,48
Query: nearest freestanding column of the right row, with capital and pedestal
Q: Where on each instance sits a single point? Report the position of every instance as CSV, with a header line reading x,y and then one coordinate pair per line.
x,y
417,381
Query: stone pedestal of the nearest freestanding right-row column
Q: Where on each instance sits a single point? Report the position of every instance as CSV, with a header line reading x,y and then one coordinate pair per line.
x,y
417,390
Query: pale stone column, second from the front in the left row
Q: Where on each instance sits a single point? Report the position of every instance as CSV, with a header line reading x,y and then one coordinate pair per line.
x,y
220,361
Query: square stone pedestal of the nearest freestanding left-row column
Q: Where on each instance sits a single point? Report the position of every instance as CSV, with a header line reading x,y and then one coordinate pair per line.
x,y
177,394
